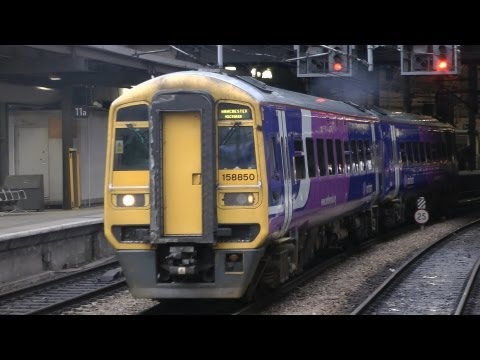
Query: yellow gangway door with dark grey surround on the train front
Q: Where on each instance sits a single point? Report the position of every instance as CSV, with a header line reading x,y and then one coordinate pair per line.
x,y
182,168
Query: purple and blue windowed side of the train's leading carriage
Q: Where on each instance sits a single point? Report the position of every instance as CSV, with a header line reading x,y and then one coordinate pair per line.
x,y
328,163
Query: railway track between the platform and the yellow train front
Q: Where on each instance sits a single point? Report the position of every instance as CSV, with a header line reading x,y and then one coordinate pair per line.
x,y
54,295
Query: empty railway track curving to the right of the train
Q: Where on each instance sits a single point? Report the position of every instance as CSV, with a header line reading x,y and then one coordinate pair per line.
x,y
441,279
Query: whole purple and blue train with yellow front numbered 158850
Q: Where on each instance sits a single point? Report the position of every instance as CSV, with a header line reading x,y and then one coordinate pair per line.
x,y
218,185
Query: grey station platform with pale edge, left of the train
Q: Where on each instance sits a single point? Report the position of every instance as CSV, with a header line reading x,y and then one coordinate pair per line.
x,y
32,243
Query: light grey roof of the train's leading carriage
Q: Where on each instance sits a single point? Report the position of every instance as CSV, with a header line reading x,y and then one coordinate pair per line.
x,y
269,94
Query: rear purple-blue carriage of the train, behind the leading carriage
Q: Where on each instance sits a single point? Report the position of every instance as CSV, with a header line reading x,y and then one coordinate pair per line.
x,y
419,160
